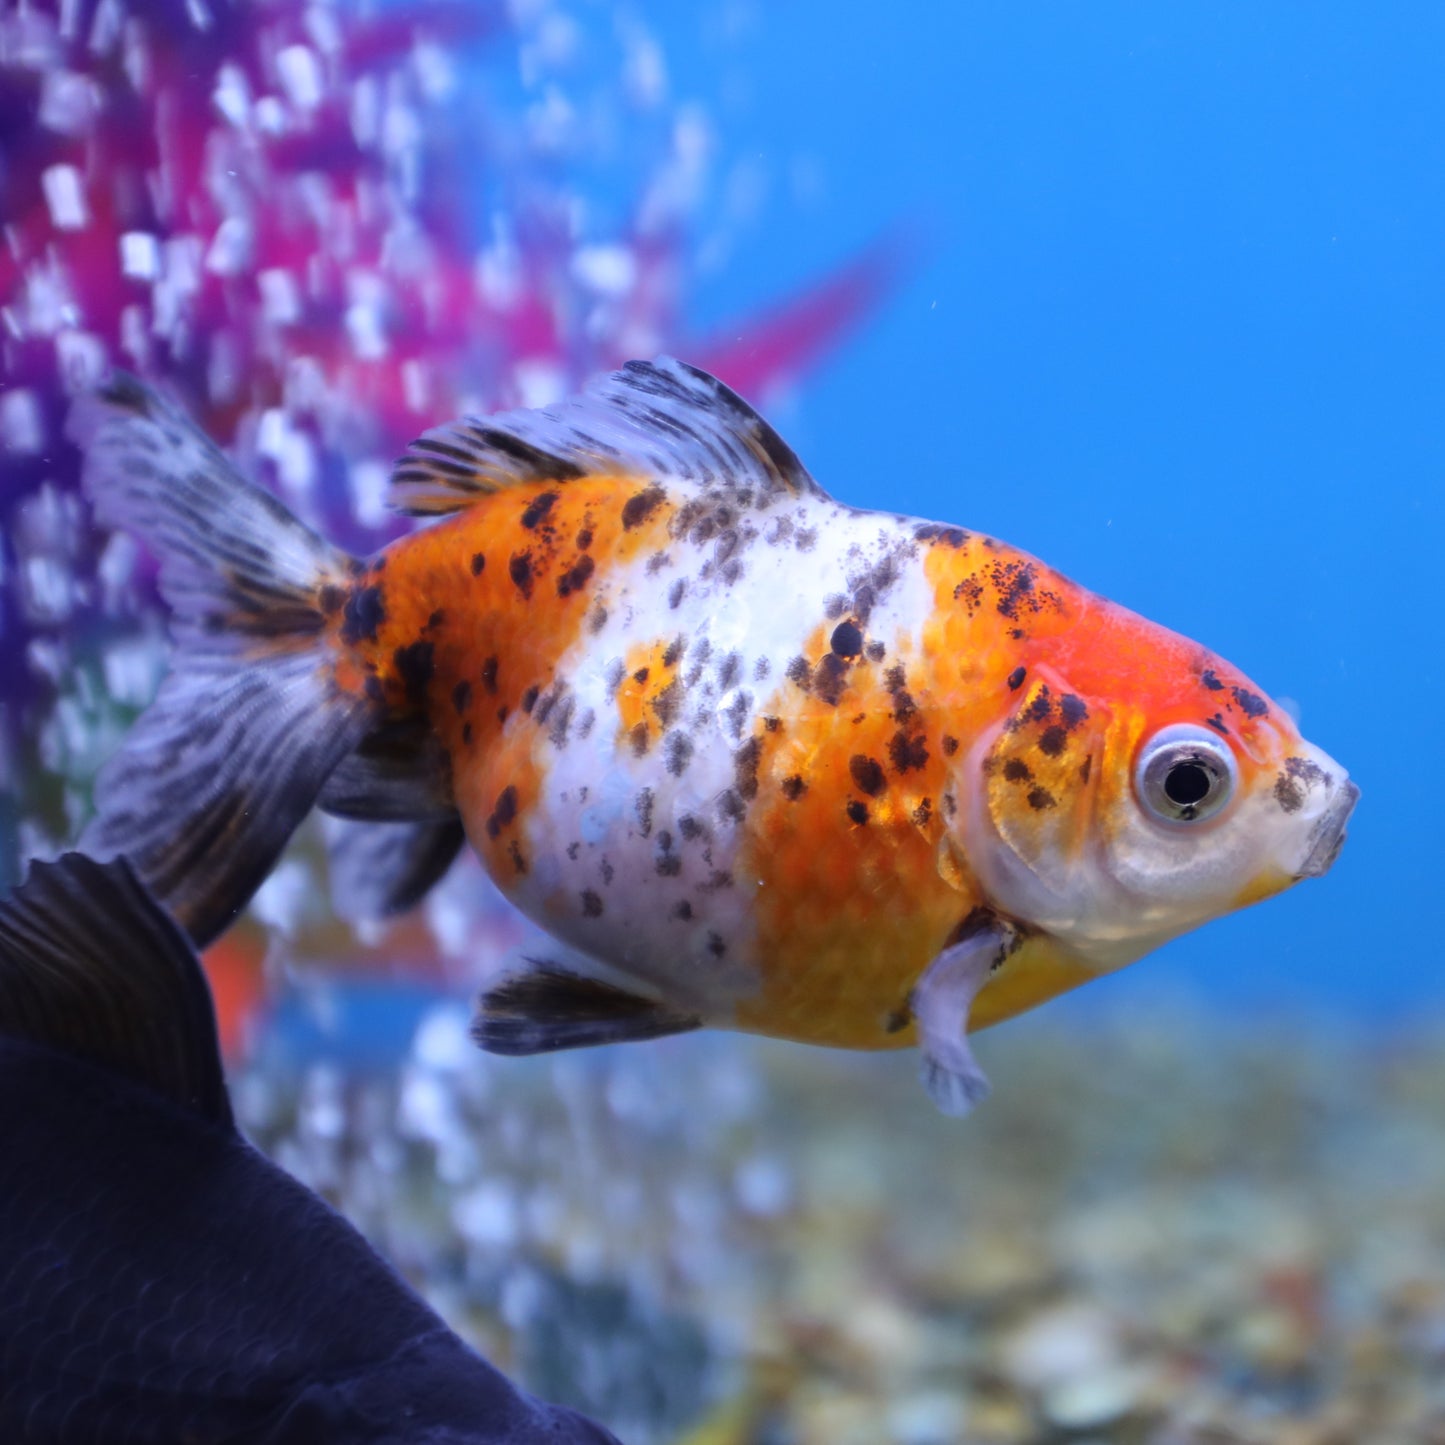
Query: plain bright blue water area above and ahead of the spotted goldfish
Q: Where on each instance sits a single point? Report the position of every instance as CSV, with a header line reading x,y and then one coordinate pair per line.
x,y
1178,330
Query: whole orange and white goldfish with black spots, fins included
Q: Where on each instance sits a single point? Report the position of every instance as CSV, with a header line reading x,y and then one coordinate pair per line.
x,y
752,758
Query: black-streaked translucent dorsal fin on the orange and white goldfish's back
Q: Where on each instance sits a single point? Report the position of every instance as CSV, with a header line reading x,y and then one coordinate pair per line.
x,y
663,420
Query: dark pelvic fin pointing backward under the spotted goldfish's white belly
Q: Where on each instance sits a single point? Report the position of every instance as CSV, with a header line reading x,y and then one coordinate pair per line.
x,y
551,1009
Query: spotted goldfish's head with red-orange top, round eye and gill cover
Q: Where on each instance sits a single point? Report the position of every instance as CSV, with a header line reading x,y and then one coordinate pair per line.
x,y
1138,788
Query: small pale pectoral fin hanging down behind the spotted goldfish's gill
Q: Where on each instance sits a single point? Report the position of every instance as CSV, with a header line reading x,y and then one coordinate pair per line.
x,y
941,1002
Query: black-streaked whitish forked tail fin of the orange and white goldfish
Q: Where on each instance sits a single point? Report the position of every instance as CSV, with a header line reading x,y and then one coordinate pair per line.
x,y
216,777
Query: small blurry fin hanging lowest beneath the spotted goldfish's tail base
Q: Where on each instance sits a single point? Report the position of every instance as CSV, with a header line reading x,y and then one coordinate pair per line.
x,y
379,869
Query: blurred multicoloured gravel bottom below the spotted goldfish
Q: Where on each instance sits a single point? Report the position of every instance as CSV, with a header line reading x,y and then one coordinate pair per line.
x,y
1161,1230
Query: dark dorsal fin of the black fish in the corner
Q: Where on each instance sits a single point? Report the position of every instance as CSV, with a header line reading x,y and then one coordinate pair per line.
x,y
92,966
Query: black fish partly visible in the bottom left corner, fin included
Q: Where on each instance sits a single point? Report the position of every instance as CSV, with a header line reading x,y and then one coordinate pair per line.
x,y
161,1281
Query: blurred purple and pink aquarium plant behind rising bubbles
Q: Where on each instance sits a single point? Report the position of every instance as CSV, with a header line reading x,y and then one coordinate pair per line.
x,y
326,228
